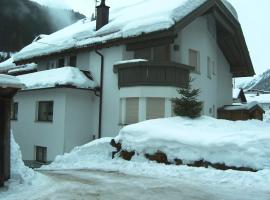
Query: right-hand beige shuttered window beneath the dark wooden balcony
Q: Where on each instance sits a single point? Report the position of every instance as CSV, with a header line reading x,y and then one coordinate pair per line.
x,y
155,108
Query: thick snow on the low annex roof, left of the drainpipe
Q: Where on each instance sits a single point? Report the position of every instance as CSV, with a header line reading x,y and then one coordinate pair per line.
x,y
65,76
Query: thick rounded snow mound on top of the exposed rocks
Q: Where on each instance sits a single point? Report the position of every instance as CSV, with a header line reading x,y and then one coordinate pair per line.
x,y
239,144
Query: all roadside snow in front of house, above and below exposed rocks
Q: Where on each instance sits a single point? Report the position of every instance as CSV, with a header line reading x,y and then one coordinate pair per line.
x,y
217,140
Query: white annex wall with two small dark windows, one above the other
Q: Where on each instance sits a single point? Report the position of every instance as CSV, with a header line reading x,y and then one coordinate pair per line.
x,y
30,133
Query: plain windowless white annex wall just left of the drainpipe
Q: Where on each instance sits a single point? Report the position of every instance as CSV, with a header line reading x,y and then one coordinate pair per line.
x,y
81,118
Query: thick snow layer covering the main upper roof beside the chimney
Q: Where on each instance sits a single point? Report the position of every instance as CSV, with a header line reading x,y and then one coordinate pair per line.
x,y
127,19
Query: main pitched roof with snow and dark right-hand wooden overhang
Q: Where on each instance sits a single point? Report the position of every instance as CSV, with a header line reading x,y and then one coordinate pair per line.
x,y
141,18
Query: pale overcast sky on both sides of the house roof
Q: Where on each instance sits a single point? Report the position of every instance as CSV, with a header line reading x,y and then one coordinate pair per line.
x,y
253,16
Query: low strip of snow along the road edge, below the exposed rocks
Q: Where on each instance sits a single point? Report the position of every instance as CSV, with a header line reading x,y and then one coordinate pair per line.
x,y
97,156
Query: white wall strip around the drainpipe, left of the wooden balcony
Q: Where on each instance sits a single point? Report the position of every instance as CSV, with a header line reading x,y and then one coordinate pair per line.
x,y
111,100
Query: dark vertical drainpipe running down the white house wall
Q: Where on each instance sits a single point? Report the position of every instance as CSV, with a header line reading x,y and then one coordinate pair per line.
x,y
101,93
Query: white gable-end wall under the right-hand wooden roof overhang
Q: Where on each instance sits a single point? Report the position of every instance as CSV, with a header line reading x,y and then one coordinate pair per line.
x,y
217,90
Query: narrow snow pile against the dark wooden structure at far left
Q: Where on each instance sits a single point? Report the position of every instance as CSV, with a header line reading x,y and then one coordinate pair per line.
x,y
18,170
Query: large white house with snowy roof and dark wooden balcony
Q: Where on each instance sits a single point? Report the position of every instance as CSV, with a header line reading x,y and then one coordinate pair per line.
x,y
136,54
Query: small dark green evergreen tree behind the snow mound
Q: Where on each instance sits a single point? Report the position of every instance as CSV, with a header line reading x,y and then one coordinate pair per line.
x,y
187,104
